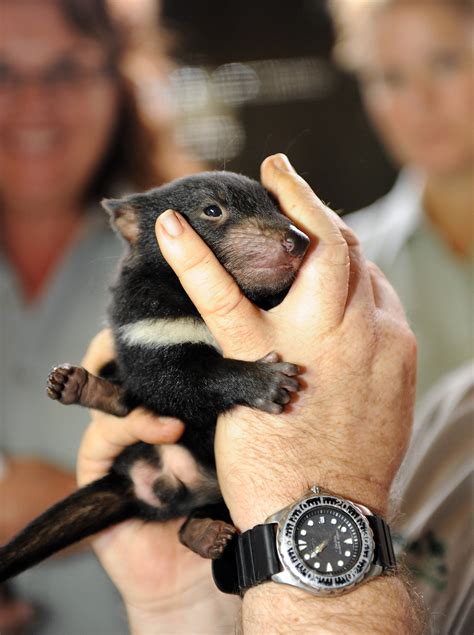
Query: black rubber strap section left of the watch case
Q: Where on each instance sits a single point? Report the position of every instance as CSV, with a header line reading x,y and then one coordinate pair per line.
x,y
251,558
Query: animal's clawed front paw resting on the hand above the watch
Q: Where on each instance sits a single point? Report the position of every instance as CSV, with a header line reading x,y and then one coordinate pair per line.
x,y
275,381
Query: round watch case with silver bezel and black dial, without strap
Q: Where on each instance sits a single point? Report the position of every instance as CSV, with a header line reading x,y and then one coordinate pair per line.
x,y
327,543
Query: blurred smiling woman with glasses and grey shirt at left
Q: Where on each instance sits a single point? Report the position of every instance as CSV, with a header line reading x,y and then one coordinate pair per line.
x,y
72,130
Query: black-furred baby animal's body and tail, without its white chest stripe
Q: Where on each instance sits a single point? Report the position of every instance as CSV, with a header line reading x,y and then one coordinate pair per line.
x,y
188,380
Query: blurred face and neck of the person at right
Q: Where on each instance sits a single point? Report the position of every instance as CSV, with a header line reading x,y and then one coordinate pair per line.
x,y
415,64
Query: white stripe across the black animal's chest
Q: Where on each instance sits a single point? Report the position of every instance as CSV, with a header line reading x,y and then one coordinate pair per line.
x,y
167,332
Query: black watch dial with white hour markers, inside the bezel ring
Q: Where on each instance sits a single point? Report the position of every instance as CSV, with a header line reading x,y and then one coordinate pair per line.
x,y
327,541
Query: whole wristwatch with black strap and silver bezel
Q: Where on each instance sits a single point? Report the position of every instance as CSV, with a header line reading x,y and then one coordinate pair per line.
x,y
323,543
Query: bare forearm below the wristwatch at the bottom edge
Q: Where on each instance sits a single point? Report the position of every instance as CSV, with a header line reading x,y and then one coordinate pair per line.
x,y
384,605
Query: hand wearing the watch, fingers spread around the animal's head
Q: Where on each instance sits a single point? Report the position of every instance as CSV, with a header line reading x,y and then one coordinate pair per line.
x,y
343,324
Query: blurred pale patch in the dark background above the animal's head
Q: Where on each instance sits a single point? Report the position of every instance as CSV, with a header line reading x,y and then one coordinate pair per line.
x,y
207,100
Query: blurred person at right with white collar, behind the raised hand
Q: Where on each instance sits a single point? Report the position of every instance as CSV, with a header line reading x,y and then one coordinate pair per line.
x,y
415,63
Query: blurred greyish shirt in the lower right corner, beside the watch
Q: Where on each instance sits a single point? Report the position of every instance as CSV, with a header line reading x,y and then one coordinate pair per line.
x,y
435,530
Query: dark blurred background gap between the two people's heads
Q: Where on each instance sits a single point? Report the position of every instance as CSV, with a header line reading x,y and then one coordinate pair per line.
x,y
326,135
